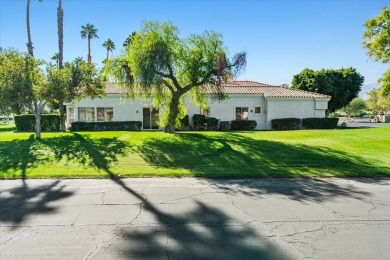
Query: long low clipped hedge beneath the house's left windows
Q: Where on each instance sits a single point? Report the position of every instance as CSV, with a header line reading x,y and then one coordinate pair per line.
x,y
107,126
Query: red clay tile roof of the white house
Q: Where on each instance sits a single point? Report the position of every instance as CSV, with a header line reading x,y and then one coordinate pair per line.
x,y
246,87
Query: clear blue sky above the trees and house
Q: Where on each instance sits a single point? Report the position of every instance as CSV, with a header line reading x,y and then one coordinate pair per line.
x,y
281,38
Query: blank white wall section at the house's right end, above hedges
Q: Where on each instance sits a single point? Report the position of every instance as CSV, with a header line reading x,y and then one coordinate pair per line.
x,y
294,107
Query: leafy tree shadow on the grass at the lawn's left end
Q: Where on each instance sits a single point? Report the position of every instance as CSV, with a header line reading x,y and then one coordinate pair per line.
x,y
18,156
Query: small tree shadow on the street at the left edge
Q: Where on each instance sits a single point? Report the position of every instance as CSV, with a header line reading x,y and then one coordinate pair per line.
x,y
18,204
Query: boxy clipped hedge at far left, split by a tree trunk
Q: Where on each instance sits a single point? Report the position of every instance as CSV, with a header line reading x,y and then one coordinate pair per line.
x,y
49,122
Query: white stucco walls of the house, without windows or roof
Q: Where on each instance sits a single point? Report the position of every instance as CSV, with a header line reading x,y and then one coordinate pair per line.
x,y
271,108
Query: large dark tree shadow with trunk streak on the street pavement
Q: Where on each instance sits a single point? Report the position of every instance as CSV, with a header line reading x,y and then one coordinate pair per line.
x,y
204,232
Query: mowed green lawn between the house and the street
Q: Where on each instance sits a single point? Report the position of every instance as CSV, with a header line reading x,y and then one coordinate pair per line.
x,y
305,153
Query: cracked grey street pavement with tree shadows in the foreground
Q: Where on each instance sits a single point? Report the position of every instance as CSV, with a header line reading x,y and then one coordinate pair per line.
x,y
188,218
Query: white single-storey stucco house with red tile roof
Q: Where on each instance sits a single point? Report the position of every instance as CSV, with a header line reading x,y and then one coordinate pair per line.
x,y
247,100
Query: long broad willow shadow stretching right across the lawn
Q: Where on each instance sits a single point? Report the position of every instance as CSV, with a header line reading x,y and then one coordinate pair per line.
x,y
234,155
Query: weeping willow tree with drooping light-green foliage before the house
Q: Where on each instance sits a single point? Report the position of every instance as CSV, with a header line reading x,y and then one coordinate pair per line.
x,y
160,65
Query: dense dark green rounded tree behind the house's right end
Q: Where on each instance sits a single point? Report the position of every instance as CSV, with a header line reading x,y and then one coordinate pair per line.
x,y
343,85
